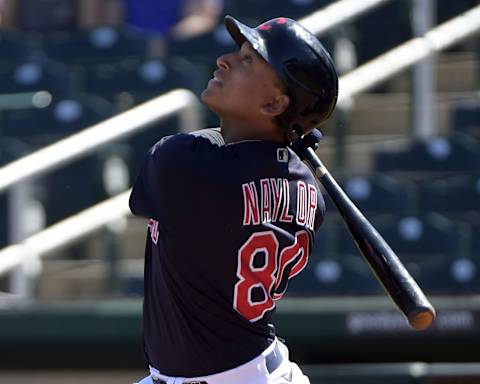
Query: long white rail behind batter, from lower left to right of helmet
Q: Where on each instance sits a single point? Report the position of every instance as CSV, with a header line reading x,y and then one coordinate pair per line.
x,y
359,80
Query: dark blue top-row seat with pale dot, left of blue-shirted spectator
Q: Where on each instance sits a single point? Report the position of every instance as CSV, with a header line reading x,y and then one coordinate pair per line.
x,y
99,45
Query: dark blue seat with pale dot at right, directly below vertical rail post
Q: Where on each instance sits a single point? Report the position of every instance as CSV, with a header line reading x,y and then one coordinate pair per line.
x,y
439,154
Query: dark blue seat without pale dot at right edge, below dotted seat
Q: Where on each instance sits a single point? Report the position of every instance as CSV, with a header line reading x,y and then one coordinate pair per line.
x,y
455,194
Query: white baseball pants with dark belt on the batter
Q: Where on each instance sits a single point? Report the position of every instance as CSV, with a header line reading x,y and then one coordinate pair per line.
x,y
252,372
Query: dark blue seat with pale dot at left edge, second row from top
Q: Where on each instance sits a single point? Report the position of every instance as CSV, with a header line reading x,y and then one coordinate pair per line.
x,y
32,76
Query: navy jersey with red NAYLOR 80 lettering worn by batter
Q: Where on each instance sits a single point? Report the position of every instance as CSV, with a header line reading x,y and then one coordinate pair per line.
x,y
229,225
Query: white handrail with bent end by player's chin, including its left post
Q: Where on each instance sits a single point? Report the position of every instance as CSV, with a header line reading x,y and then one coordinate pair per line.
x,y
18,174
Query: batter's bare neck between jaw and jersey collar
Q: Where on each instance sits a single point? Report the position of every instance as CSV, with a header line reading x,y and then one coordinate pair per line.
x,y
242,130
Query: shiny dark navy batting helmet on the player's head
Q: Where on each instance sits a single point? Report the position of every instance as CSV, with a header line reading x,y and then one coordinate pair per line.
x,y
301,62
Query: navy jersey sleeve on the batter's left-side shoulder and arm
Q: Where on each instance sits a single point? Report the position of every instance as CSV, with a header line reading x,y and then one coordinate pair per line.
x,y
170,173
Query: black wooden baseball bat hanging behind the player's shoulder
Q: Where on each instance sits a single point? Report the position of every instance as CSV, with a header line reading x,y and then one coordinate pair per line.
x,y
389,270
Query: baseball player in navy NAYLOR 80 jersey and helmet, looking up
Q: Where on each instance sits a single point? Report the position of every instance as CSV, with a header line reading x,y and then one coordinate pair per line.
x,y
233,213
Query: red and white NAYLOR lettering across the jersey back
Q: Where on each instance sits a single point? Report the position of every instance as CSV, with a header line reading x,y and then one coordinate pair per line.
x,y
271,201
